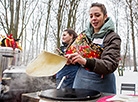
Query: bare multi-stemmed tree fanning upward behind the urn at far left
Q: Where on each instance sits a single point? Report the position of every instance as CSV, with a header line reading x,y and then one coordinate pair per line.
x,y
10,23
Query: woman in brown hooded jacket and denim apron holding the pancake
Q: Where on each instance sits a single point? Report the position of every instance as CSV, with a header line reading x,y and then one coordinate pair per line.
x,y
99,75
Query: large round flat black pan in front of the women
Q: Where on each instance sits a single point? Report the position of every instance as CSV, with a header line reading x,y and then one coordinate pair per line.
x,y
69,94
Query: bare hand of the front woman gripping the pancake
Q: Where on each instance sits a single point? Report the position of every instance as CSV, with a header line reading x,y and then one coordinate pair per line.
x,y
75,58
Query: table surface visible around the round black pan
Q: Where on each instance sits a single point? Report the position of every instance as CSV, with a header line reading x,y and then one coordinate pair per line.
x,y
33,97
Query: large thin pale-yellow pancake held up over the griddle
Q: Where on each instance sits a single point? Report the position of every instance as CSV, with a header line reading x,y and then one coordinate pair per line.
x,y
45,64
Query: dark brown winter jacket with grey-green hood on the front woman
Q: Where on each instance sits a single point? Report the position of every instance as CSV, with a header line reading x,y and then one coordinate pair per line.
x,y
111,44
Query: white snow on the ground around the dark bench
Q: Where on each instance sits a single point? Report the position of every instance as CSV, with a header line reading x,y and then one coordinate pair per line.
x,y
129,76
